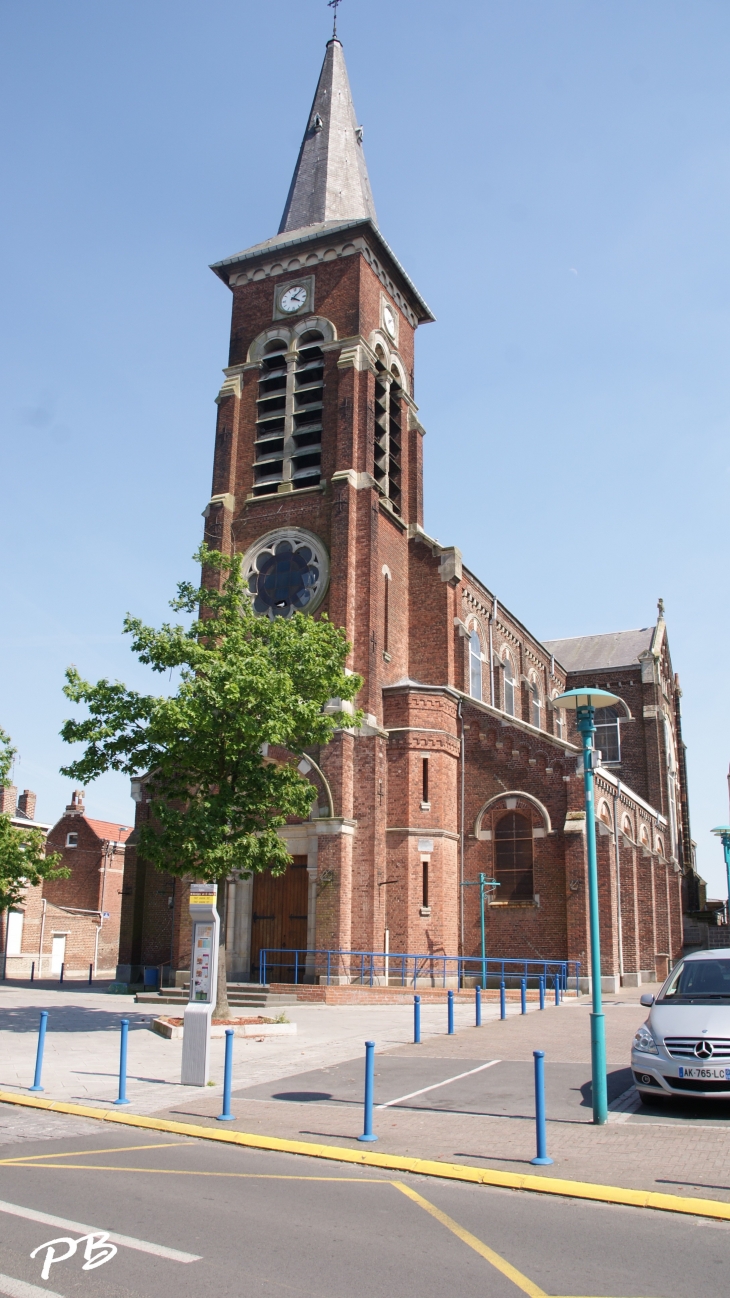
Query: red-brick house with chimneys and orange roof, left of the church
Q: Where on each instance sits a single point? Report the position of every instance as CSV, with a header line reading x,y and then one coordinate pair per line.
x,y
69,922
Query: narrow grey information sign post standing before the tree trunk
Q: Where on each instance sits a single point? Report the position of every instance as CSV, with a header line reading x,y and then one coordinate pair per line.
x,y
203,985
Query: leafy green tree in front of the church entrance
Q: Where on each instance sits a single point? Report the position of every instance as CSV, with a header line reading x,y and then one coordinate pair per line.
x,y
246,682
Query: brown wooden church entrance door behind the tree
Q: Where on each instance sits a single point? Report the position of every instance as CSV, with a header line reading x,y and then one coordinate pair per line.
x,y
280,921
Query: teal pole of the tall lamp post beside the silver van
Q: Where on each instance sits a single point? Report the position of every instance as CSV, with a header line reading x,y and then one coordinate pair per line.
x,y
586,725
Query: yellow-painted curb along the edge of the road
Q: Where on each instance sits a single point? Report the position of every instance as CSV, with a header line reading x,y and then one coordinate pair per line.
x,y
715,1209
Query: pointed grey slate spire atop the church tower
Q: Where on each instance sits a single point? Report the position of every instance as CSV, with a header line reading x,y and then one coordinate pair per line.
x,y
331,180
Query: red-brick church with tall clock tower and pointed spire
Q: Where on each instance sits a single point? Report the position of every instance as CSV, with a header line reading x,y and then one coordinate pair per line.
x,y
463,765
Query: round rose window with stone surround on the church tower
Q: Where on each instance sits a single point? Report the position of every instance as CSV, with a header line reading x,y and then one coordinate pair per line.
x,y
286,573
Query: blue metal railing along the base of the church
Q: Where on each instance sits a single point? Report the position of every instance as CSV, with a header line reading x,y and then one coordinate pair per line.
x,y
371,969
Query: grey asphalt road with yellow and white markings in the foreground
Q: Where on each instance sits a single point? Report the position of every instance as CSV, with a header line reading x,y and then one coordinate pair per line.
x,y
283,1226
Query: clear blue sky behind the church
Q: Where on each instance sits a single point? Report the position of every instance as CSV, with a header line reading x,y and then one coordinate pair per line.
x,y
554,175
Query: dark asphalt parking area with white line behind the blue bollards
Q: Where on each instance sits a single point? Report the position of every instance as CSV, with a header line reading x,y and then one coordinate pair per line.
x,y
502,1088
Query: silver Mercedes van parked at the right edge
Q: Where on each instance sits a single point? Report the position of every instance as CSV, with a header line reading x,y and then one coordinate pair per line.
x,y
684,1048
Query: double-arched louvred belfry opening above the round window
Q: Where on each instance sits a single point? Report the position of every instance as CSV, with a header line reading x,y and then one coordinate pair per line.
x,y
289,417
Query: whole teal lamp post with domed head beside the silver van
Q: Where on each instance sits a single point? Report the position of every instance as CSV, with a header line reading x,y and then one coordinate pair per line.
x,y
584,703
